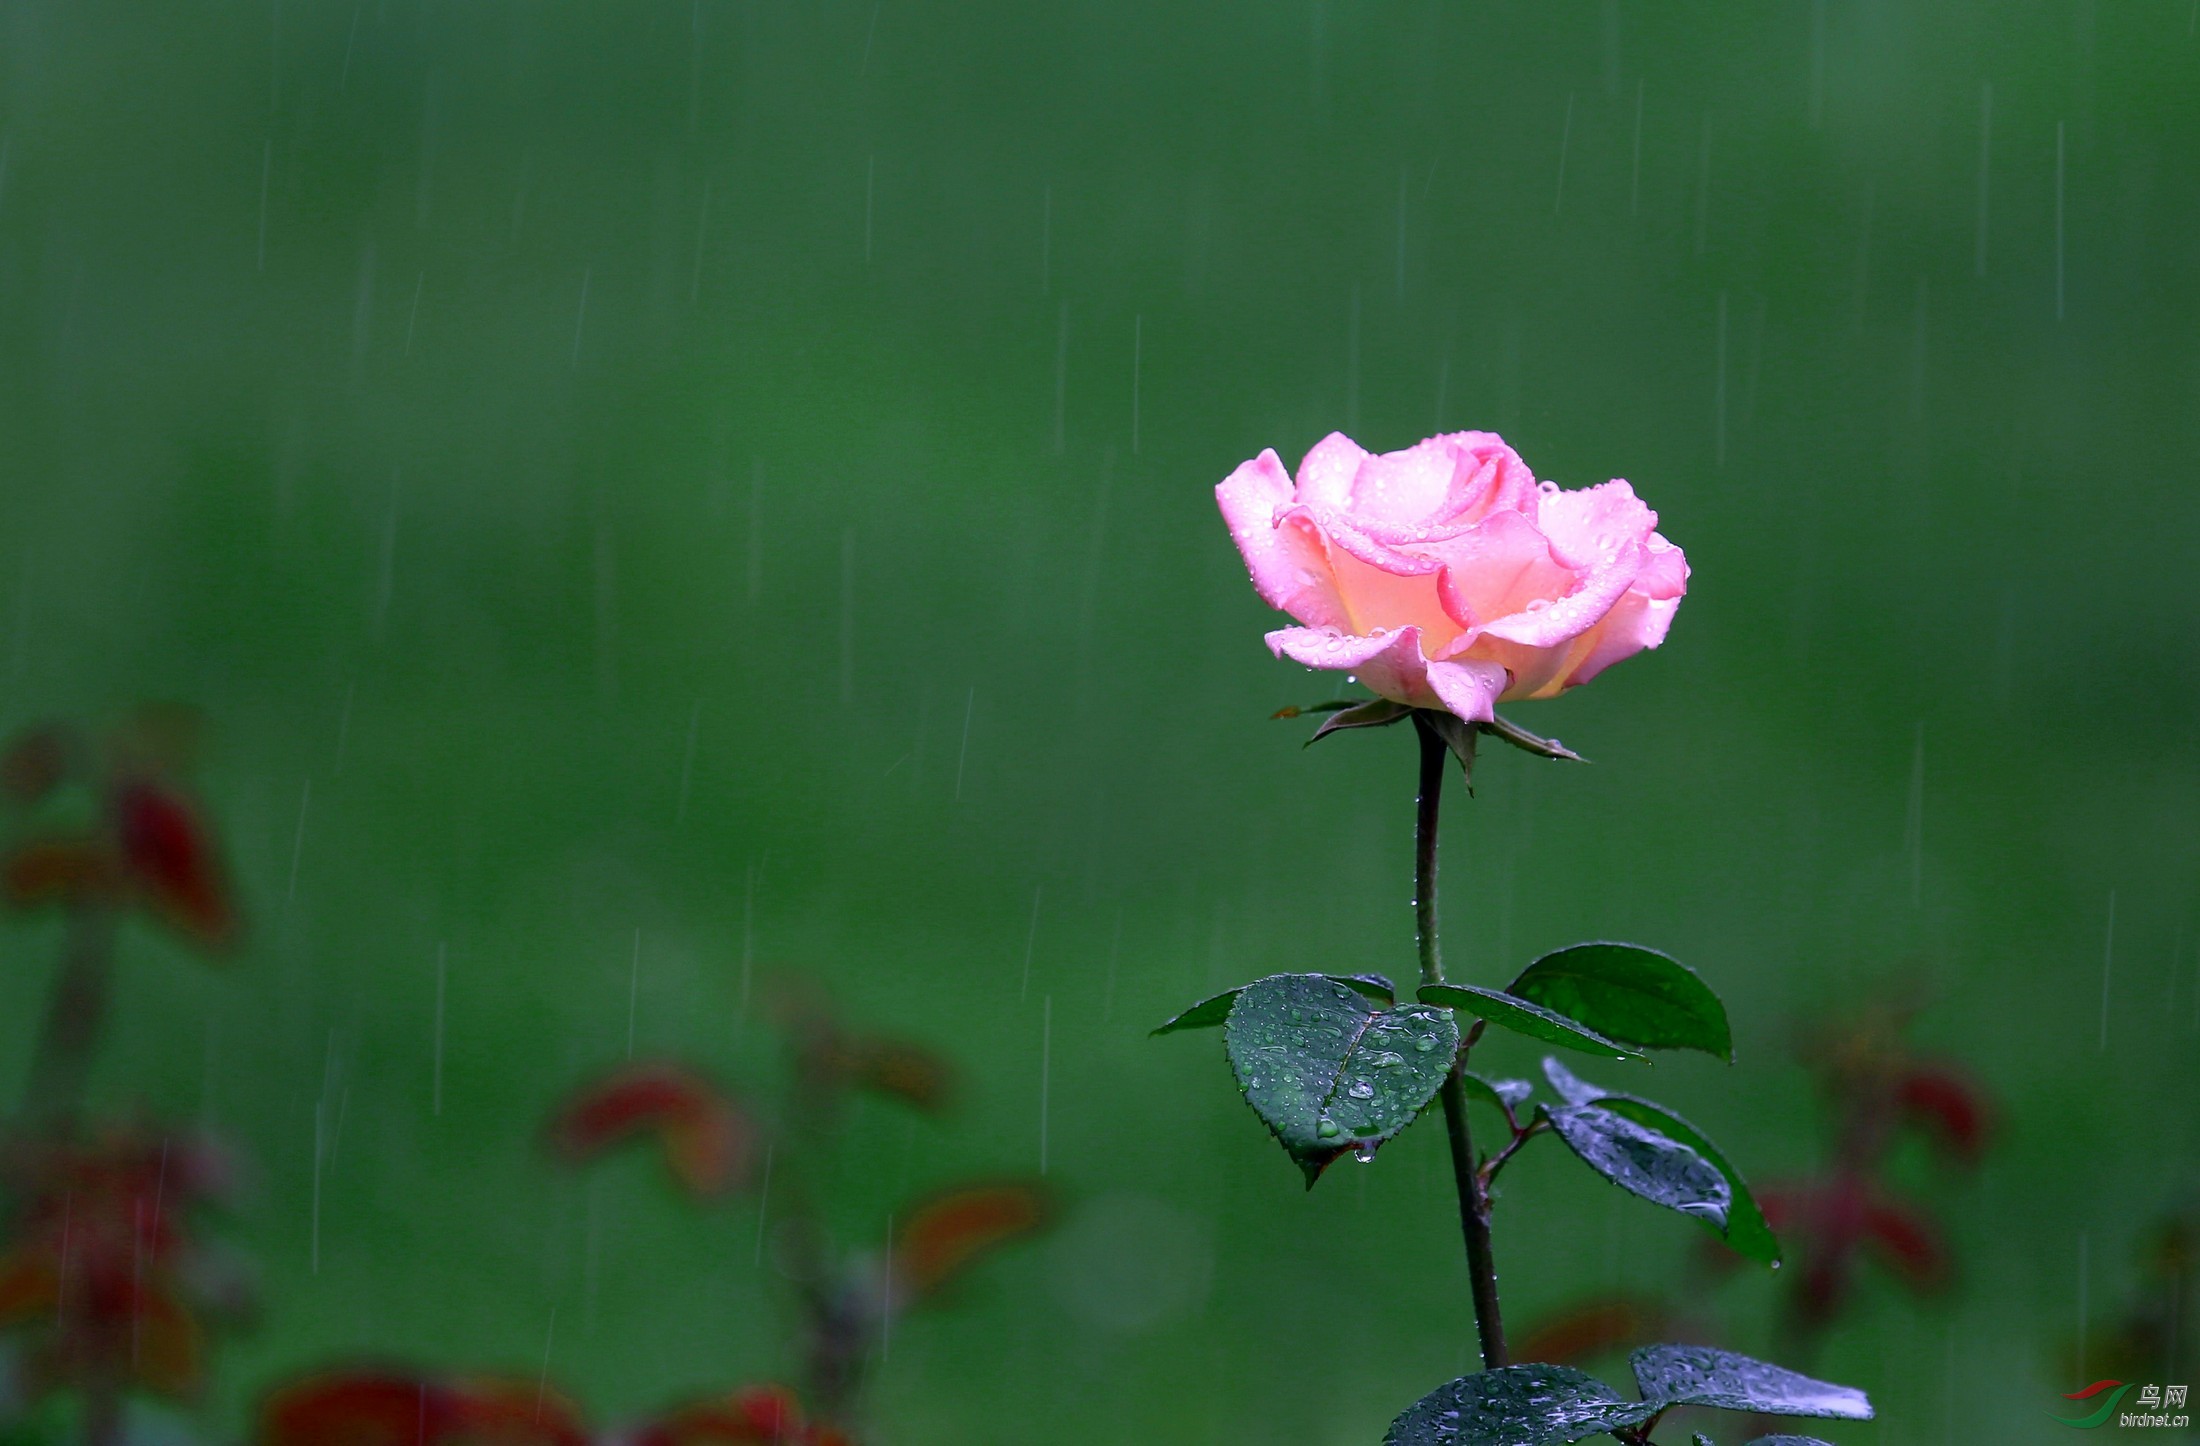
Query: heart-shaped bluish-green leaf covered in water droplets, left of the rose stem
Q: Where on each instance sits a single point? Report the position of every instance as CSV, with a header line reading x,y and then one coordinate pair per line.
x,y
1332,1075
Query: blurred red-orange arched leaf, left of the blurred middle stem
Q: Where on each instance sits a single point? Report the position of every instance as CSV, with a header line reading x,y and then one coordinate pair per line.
x,y
707,1139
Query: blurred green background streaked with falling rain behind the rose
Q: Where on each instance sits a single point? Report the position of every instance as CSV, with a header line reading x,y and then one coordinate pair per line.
x,y
742,472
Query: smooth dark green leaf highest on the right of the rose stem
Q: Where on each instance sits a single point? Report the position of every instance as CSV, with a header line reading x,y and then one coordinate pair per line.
x,y
1629,994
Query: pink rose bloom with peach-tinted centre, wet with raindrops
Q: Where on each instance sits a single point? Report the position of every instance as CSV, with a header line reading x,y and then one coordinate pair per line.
x,y
1446,576
